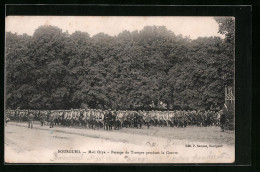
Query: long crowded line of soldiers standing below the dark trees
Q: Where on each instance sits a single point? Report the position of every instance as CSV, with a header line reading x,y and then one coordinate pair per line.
x,y
108,119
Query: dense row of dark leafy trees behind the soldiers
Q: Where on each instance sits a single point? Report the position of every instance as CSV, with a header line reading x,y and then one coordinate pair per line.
x,y
56,70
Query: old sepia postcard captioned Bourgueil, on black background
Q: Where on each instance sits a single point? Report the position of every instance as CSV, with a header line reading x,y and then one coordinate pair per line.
x,y
119,89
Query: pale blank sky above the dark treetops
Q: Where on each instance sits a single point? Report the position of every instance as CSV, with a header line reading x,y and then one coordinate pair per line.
x,y
186,26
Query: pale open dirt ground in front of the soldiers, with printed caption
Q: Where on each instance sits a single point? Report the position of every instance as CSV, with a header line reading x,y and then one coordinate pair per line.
x,y
45,145
